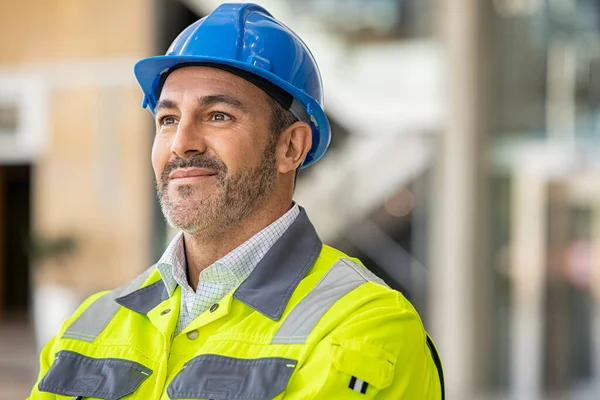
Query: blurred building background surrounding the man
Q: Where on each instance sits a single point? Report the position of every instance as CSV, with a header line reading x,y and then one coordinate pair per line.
x,y
464,170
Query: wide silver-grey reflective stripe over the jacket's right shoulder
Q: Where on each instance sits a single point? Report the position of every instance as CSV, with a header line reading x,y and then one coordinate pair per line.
x,y
342,278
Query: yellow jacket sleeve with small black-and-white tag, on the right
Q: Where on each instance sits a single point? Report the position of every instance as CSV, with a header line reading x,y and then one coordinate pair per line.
x,y
379,352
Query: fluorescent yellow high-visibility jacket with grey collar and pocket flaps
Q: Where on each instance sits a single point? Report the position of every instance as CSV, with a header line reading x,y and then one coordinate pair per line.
x,y
308,323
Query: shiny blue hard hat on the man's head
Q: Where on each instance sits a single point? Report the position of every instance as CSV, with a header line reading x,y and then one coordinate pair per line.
x,y
245,39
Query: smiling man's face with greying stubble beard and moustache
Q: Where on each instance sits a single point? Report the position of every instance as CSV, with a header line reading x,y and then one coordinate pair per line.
x,y
213,156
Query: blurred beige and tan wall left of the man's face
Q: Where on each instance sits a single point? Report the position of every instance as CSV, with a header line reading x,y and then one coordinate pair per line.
x,y
91,181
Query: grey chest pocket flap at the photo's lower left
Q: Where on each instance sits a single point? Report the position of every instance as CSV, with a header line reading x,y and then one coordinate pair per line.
x,y
73,374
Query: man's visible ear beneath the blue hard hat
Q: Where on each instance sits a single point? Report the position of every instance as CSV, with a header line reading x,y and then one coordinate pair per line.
x,y
293,145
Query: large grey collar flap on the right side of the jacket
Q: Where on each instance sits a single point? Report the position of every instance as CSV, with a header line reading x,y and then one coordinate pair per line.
x,y
271,284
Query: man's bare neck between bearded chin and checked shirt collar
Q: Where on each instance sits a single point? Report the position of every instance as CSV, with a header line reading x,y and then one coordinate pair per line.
x,y
202,250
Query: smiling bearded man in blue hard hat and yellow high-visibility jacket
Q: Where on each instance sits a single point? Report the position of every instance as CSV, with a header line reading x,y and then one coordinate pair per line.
x,y
246,302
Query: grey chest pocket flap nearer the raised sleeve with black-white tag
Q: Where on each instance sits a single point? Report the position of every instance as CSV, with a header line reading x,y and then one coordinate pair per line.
x,y
211,376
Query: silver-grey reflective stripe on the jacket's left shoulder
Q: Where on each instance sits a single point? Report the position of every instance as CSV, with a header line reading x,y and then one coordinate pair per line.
x,y
95,318
